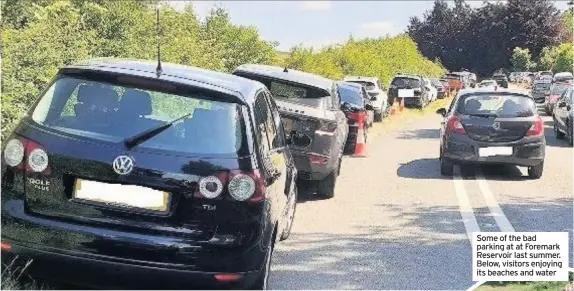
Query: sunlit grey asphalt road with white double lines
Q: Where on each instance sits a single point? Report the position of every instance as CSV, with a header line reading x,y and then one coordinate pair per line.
x,y
396,223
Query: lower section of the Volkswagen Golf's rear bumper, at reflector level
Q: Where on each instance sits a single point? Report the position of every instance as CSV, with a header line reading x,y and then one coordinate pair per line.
x,y
103,273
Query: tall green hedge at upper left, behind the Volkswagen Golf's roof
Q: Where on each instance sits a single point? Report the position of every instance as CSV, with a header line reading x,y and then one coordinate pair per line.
x,y
41,36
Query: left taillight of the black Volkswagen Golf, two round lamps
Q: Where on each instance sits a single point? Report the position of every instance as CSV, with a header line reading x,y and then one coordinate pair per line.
x,y
22,153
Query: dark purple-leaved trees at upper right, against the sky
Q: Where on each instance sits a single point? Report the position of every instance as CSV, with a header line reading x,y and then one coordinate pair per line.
x,y
483,39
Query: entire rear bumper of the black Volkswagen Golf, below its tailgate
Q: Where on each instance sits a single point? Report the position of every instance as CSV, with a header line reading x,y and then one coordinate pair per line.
x,y
87,255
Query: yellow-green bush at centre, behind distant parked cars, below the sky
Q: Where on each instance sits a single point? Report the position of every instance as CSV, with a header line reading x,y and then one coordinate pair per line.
x,y
380,57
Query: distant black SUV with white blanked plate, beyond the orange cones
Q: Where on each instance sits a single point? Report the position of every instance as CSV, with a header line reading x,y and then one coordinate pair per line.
x,y
411,88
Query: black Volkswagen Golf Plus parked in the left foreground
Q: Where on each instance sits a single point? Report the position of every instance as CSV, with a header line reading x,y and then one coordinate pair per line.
x,y
120,176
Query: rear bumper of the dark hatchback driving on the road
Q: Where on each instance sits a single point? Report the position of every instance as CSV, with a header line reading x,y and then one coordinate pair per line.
x,y
526,153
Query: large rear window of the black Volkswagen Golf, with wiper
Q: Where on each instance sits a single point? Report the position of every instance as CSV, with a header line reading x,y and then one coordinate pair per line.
x,y
114,112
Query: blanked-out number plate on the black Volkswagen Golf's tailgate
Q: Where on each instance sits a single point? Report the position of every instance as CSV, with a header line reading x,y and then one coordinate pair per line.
x,y
119,195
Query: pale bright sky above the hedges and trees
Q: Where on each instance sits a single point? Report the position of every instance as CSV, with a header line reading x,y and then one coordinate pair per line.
x,y
319,23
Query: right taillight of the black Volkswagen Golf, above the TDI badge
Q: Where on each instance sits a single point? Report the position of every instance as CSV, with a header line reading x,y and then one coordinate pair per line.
x,y
241,186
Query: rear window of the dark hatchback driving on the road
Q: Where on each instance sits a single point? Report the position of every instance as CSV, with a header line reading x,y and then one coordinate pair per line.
x,y
497,105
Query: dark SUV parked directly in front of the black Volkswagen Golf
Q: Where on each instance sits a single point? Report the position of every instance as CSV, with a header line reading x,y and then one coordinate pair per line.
x,y
313,120
